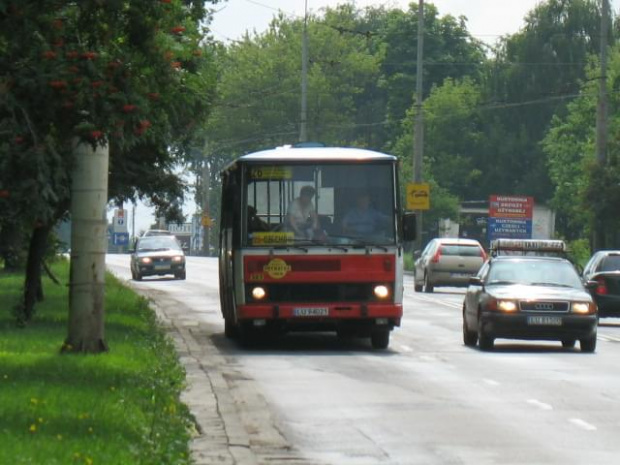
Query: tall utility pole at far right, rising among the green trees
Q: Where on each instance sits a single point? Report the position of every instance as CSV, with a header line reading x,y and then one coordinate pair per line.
x,y
601,119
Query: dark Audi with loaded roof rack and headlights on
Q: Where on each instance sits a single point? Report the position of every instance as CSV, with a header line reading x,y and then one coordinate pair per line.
x,y
529,297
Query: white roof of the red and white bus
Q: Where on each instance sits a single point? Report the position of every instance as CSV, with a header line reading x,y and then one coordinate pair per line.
x,y
289,154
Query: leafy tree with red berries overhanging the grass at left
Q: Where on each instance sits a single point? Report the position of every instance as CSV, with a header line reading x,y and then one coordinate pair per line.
x,y
130,75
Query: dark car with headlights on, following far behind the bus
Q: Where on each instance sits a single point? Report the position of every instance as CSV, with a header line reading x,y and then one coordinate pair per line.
x,y
157,256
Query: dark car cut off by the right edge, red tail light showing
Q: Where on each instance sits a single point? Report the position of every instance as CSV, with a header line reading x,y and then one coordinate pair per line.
x,y
604,268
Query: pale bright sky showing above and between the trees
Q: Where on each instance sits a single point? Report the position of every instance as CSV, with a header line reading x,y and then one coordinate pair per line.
x,y
487,20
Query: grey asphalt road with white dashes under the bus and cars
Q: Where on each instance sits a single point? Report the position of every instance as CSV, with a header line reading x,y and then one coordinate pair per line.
x,y
428,399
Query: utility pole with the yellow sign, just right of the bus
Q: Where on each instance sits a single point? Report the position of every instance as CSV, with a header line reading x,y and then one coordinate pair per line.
x,y
418,132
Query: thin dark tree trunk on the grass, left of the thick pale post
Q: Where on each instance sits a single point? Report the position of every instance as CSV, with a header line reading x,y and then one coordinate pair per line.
x,y
33,288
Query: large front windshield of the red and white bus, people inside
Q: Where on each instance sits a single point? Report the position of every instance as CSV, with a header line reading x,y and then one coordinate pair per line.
x,y
320,204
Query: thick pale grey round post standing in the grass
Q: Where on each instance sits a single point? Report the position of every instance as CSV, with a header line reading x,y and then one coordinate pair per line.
x,y
89,193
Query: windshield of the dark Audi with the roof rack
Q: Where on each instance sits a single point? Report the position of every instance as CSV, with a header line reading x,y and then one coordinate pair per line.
x,y
534,272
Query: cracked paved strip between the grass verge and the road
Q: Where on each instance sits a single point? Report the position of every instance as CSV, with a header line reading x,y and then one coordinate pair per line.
x,y
234,423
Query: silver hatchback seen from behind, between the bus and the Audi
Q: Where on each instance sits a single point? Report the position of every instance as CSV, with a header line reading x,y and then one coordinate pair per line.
x,y
447,262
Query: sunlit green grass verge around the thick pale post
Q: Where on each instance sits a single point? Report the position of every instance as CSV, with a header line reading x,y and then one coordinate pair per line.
x,y
120,407
